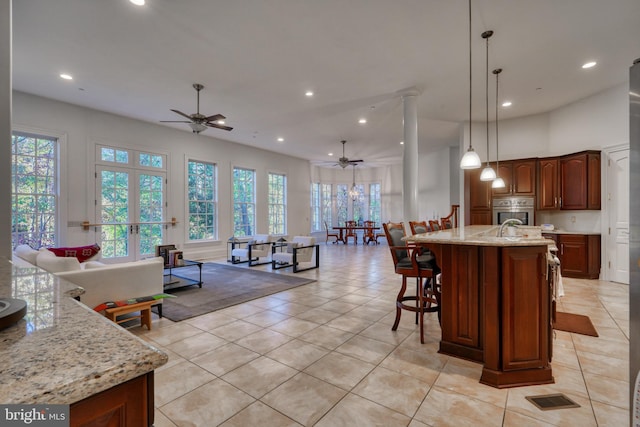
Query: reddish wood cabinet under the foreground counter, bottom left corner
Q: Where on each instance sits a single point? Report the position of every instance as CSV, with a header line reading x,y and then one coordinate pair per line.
x,y
127,404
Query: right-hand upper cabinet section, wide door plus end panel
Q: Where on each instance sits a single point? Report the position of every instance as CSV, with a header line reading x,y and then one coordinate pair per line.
x,y
580,181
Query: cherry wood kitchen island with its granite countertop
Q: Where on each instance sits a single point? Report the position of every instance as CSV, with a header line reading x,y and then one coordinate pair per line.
x,y
496,301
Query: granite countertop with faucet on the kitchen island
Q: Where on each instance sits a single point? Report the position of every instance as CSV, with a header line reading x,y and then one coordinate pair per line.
x,y
483,235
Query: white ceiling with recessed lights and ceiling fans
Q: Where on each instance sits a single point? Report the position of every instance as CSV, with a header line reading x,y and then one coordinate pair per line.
x,y
256,59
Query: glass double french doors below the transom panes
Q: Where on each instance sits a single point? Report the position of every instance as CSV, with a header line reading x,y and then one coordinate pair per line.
x,y
131,208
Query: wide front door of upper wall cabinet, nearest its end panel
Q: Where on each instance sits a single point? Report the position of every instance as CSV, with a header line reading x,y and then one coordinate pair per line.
x,y
573,182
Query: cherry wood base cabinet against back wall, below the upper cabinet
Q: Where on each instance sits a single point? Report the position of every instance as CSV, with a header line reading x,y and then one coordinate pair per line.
x,y
579,254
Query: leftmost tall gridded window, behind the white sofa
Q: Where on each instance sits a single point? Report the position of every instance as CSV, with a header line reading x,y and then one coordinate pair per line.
x,y
34,190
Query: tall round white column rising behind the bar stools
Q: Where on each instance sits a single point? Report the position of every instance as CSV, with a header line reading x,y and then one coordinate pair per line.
x,y
410,157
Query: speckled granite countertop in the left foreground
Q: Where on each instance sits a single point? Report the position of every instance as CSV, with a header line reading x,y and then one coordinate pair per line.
x,y
62,352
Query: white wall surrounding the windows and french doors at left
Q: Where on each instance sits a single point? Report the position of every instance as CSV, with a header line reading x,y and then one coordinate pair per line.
x,y
84,128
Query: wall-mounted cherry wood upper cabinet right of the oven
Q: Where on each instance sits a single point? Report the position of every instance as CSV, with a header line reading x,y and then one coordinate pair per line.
x,y
569,182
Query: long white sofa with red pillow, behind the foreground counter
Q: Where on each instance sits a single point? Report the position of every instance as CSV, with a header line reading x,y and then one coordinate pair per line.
x,y
101,282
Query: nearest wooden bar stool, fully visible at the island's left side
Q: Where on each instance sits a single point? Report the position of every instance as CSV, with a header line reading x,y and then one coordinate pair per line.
x,y
411,261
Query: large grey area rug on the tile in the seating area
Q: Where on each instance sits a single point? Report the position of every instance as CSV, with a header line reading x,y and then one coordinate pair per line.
x,y
223,286
